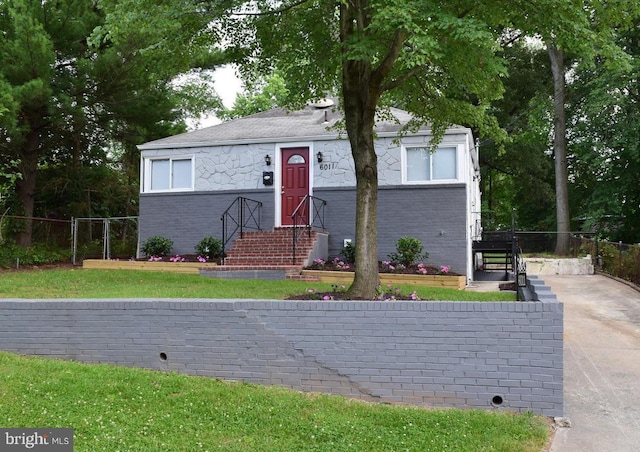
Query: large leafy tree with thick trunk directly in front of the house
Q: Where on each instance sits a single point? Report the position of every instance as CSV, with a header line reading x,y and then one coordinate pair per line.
x,y
438,60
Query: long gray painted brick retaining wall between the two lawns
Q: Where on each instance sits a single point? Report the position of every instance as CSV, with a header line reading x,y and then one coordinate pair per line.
x,y
445,354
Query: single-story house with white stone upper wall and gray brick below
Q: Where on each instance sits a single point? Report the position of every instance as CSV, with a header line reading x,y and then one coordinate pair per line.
x,y
276,157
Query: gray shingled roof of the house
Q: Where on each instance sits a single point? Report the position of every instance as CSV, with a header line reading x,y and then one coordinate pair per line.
x,y
271,126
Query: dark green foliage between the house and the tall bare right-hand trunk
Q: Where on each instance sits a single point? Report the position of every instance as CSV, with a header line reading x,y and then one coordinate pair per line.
x,y
517,174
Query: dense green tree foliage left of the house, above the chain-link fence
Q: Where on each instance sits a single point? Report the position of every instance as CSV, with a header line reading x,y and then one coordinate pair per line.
x,y
78,82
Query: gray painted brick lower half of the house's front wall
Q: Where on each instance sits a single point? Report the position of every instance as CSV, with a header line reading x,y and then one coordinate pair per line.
x,y
196,215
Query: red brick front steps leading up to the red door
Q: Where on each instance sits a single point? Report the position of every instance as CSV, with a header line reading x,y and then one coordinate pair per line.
x,y
268,255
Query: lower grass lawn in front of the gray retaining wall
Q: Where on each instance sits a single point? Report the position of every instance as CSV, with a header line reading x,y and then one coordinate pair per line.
x,y
121,409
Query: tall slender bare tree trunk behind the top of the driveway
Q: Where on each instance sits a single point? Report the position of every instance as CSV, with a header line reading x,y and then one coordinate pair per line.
x,y
556,57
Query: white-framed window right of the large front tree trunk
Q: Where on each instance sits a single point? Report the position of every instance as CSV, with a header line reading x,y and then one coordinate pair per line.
x,y
424,165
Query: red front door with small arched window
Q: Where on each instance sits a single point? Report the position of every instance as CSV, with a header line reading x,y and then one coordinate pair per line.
x,y
295,181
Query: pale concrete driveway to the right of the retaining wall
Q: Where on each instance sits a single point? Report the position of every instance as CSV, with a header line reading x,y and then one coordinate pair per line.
x,y
601,364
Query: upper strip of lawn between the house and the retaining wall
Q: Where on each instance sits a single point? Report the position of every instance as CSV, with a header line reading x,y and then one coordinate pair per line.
x,y
84,283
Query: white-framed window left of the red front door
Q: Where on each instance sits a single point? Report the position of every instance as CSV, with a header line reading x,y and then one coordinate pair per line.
x,y
168,174
